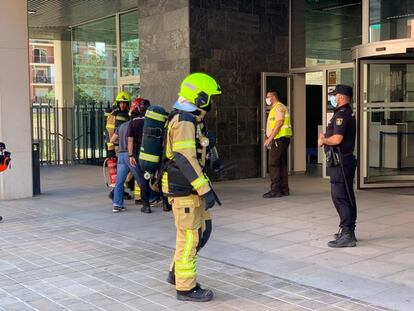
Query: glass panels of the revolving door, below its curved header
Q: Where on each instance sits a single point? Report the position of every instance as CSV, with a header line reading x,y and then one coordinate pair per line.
x,y
389,111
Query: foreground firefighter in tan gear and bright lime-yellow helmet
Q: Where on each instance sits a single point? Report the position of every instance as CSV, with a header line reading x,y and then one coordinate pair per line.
x,y
185,183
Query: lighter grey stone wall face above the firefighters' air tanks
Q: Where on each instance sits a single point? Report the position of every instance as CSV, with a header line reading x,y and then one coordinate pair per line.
x,y
164,48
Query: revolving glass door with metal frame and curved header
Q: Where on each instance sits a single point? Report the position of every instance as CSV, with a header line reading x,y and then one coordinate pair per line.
x,y
386,113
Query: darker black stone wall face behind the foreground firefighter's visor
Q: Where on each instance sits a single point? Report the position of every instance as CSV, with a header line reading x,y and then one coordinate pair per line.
x,y
235,40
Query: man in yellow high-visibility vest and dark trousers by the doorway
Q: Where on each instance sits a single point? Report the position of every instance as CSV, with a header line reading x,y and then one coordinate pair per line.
x,y
278,134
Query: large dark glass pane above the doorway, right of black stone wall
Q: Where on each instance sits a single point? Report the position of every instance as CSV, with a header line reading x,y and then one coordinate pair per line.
x,y
323,32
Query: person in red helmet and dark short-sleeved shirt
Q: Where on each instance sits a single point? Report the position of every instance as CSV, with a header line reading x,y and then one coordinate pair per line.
x,y
135,133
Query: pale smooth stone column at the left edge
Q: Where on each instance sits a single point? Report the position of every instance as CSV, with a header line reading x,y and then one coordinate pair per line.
x,y
15,113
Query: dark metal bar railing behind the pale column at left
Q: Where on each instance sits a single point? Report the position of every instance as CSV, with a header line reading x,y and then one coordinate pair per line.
x,y
68,135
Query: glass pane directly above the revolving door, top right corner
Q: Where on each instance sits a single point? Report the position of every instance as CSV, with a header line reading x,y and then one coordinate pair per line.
x,y
391,19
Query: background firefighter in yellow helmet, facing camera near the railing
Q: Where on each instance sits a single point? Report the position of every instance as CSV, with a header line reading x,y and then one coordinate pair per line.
x,y
115,118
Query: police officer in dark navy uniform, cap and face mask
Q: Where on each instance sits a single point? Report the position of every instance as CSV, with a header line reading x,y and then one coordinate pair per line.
x,y
339,143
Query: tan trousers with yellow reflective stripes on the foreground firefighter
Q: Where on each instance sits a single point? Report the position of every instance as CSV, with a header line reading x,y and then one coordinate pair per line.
x,y
190,216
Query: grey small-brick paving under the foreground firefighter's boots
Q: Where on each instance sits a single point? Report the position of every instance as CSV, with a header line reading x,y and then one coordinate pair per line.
x,y
52,263
